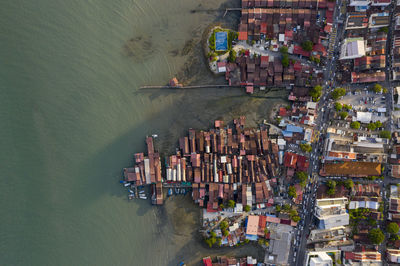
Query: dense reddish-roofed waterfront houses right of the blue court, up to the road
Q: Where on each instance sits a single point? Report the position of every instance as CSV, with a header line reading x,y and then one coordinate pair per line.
x,y
267,26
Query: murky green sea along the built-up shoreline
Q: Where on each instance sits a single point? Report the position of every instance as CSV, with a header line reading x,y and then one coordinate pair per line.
x,y
72,116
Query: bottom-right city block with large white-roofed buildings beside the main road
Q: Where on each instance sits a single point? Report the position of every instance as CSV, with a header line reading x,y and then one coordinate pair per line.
x,y
341,226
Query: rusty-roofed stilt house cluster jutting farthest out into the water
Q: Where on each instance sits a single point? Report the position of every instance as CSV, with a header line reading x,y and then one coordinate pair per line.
x,y
225,163
